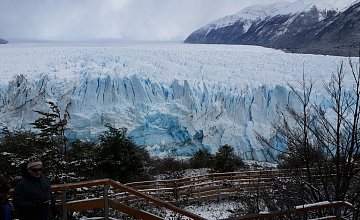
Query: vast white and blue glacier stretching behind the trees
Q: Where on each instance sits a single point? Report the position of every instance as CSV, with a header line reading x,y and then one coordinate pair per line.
x,y
173,98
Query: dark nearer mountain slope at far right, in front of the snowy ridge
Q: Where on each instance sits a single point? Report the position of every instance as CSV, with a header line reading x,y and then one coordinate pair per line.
x,y
339,35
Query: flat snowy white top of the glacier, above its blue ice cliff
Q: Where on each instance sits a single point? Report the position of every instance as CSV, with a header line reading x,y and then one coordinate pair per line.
x,y
238,65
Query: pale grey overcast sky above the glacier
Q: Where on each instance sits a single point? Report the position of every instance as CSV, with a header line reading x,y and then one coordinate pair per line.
x,y
149,20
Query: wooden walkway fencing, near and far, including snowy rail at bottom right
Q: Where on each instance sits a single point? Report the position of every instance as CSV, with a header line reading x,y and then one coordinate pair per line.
x,y
107,194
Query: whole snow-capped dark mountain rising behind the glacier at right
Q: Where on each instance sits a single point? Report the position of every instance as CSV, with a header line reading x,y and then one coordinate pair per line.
x,y
305,26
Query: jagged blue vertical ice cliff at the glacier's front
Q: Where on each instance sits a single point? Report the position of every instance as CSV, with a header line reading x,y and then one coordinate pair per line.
x,y
178,118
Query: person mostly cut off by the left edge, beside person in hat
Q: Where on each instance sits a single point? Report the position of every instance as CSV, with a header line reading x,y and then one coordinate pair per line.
x,y
5,207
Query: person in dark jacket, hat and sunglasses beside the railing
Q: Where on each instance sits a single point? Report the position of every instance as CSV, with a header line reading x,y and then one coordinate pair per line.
x,y
32,195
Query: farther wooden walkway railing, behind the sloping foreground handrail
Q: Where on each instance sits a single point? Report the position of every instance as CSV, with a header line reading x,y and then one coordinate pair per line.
x,y
216,186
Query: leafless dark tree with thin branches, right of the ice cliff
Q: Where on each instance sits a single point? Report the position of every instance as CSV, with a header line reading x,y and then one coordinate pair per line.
x,y
324,141
